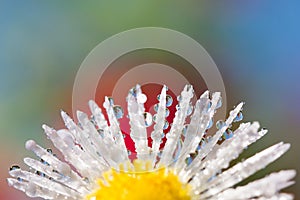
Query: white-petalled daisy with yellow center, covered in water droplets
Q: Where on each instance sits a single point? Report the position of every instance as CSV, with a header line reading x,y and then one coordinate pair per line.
x,y
192,164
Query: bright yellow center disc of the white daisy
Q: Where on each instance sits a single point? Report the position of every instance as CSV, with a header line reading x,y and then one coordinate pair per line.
x,y
140,184
